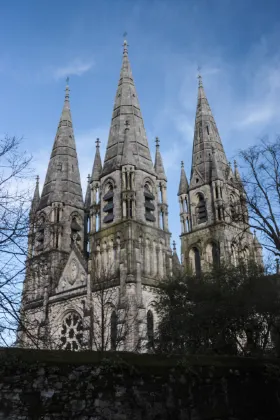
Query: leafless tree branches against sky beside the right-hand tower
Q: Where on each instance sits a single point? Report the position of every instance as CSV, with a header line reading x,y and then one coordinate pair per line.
x,y
261,192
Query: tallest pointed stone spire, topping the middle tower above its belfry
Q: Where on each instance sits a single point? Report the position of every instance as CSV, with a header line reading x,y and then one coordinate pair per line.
x,y
127,108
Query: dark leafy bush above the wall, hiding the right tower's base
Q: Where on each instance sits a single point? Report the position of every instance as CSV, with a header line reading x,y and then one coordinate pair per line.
x,y
228,310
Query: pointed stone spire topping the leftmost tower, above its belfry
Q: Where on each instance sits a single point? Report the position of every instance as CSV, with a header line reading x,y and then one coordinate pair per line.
x,y
62,183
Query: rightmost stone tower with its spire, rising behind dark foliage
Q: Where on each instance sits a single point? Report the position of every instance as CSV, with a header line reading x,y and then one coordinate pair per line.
x,y
212,210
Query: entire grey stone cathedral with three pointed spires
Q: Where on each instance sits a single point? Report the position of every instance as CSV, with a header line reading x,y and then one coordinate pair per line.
x,y
94,264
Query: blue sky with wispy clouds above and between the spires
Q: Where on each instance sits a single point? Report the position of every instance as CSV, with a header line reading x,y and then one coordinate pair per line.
x,y
235,42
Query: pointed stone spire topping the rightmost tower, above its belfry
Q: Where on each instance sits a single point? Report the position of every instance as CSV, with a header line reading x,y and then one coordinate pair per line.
x,y
206,138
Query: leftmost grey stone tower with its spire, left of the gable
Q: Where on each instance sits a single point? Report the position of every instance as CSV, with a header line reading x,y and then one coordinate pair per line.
x,y
56,228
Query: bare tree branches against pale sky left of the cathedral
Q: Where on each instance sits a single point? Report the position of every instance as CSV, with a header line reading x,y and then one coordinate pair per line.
x,y
14,217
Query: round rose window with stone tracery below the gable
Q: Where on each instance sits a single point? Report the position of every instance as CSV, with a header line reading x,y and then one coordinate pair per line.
x,y
72,332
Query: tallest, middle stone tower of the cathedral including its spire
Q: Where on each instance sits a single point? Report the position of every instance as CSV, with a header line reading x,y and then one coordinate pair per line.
x,y
129,241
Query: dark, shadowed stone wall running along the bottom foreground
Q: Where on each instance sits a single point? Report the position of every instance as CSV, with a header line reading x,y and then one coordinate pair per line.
x,y
90,386
